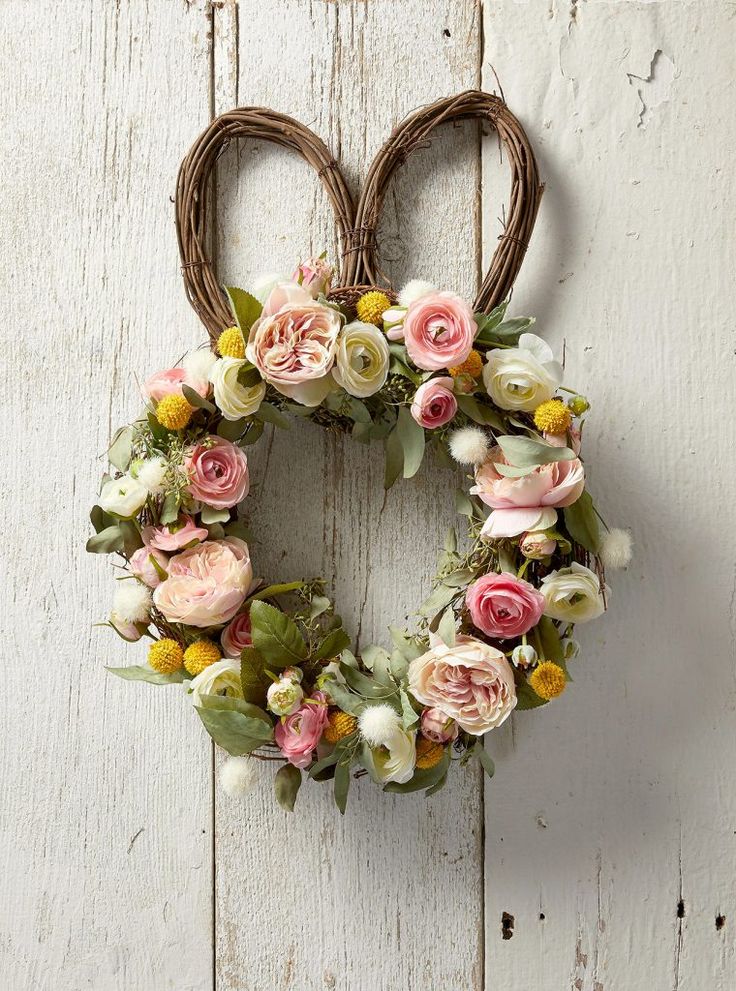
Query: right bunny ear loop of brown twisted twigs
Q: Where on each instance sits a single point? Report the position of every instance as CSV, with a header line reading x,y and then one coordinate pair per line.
x,y
526,190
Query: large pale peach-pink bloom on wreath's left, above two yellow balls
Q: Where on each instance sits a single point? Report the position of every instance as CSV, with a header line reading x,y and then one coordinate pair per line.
x,y
207,584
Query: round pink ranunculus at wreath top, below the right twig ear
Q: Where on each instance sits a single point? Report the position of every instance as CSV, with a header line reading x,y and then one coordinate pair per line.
x,y
439,330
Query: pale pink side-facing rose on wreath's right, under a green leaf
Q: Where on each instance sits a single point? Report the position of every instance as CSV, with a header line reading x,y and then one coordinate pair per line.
x,y
526,503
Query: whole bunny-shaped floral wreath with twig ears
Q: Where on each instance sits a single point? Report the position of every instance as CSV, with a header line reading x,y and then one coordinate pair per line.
x,y
268,666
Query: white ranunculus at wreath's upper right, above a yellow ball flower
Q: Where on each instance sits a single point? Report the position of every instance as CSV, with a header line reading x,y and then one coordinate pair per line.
x,y
521,378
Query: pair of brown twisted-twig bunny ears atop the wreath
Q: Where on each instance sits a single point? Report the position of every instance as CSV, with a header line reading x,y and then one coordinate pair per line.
x,y
356,226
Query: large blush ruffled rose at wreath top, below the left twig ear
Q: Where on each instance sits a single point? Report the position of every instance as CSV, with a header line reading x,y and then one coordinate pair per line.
x,y
294,346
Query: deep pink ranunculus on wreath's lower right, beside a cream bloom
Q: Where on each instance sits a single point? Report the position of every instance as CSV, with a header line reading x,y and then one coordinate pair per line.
x,y
503,606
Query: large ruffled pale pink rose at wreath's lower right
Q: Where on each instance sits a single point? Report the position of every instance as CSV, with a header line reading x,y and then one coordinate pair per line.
x,y
472,682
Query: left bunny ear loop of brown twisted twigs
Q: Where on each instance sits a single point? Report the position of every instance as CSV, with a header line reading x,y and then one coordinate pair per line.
x,y
193,188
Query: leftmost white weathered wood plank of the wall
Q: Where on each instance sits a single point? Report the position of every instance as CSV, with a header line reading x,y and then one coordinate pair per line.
x,y
106,809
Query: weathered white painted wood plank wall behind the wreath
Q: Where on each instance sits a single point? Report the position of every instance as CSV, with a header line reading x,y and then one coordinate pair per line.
x,y
121,868
